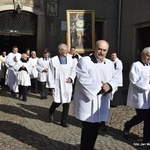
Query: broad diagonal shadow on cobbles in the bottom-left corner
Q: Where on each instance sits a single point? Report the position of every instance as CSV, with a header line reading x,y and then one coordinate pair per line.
x,y
32,138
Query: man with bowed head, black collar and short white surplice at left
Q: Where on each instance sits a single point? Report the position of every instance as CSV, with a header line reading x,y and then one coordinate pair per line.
x,y
23,69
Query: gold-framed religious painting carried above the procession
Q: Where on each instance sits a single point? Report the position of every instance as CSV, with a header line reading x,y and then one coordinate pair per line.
x,y
80,30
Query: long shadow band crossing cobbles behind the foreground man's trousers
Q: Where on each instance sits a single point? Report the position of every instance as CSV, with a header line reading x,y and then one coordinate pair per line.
x,y
41,113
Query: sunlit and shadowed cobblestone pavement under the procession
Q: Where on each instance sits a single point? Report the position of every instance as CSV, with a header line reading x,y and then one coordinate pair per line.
x,y
26,126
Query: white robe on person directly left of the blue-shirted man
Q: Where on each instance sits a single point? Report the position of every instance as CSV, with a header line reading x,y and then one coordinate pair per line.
x,y
41,65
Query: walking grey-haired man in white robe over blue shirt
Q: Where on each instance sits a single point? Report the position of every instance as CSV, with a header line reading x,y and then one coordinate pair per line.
x,y
61,75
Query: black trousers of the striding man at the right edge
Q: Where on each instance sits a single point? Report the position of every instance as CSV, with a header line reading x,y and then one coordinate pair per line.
x,y
141,115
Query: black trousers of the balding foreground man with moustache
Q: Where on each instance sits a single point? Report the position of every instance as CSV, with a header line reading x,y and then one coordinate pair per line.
x,y
88,135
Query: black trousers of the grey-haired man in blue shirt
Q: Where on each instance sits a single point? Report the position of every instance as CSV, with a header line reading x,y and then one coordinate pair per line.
x,y
64,115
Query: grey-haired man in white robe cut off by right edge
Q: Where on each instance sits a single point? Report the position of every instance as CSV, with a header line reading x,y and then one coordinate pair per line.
x,y
139,94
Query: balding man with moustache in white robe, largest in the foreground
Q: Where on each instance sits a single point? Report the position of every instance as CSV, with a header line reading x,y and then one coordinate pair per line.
x,y
96,82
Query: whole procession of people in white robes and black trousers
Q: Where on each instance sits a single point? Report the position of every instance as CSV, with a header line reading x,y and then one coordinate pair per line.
x,y
89,81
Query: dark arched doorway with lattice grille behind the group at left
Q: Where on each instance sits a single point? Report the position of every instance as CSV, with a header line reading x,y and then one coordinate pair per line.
x,y
18,29
